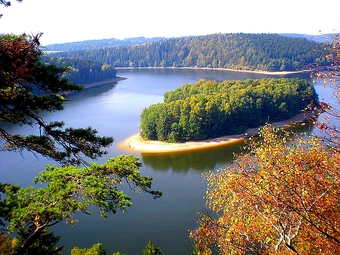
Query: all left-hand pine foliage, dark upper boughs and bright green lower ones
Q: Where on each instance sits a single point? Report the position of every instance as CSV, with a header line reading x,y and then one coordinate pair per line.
x,y
28,87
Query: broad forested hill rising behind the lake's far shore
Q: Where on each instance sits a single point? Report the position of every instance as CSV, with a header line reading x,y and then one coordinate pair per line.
x,y
268,52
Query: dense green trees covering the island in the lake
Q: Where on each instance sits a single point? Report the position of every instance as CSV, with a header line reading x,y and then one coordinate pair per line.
x,y
210,109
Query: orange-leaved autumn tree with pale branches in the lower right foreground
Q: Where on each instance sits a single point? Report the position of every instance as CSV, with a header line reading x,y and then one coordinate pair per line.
x,y
281,198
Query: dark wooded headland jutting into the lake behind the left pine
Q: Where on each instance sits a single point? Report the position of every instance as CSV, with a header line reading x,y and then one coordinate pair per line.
x,y
82,71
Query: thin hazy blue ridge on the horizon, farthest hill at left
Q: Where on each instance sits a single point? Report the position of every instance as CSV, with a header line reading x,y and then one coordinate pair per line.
x,y
99,44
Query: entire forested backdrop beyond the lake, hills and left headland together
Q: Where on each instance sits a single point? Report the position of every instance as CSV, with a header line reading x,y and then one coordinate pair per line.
x,y
265,52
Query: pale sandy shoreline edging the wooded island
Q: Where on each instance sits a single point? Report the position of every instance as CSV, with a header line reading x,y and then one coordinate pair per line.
x,y
135,143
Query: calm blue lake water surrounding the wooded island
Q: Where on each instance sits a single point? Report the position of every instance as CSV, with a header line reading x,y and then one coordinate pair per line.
x,y
114,110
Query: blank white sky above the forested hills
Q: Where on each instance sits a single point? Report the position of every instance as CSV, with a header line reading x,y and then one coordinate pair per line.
x,y
64,21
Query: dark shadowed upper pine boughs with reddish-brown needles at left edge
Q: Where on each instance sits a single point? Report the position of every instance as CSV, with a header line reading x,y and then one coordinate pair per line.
x,y
27,87
